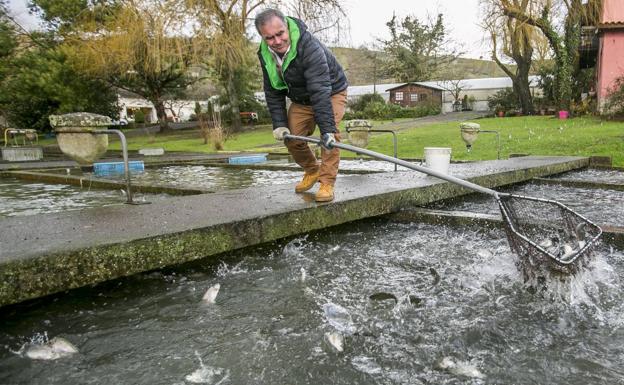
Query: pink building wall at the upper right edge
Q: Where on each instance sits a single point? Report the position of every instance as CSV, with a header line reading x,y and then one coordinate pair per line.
x,y
611,49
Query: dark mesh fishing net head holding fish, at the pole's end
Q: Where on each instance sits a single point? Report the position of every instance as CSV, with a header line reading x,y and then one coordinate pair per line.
x,y
547,235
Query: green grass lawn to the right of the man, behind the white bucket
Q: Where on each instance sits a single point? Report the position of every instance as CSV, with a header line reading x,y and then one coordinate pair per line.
x,y
526,135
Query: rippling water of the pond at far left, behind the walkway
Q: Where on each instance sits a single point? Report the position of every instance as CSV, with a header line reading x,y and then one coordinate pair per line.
x,y
19,197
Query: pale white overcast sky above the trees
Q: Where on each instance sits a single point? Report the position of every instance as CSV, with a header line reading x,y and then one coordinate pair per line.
x,y
368,18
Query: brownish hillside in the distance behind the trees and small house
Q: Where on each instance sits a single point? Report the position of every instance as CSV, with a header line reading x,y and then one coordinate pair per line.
x,y
360,69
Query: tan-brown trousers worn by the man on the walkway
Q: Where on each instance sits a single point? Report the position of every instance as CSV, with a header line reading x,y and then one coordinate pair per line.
x,y
301,122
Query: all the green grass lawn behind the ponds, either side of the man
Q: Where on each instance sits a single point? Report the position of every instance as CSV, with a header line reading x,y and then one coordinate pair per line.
x,y
519,135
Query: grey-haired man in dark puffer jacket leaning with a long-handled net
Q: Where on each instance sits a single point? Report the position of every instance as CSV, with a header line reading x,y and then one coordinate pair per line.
x,y
296,65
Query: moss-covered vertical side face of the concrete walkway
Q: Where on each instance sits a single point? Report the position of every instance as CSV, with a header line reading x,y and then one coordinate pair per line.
x,y
53,271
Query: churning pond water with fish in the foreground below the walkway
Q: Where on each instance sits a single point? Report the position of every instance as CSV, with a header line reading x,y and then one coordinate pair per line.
x,y
461,315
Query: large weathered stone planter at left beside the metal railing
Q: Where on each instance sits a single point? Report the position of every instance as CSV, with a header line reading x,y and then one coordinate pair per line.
x,y
84,149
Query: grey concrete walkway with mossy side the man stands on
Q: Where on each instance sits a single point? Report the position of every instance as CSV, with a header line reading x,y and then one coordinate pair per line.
x,y
48,253
